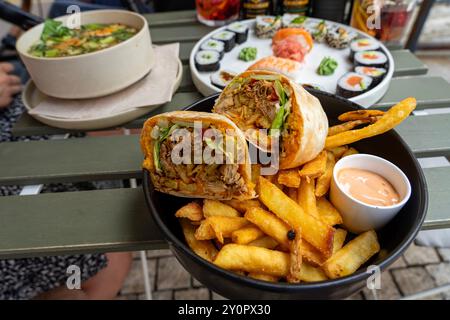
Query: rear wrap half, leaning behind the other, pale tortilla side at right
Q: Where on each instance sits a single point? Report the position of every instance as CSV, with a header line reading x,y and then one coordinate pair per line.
x,y
258,99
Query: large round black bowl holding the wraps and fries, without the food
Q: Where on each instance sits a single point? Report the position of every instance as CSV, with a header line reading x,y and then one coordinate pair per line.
x,y
394,238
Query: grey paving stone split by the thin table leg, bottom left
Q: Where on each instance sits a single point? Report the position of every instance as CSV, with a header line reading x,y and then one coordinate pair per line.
x,y
134,283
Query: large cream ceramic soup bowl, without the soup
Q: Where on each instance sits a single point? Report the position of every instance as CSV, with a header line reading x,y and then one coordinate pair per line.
x,y
93,74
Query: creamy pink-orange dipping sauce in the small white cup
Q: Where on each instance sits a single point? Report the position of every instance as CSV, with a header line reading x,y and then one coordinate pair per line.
x,y
368,187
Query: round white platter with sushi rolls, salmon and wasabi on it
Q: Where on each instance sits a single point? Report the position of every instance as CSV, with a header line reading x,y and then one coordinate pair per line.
x,y
316,53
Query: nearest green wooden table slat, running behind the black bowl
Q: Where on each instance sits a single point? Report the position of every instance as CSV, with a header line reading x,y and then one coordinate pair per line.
x,y
118,220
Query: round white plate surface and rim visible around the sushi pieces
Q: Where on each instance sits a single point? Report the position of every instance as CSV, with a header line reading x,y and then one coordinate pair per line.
x,y
308,74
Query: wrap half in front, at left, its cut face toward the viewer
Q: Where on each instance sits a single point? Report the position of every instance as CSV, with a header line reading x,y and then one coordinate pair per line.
x,y
197,155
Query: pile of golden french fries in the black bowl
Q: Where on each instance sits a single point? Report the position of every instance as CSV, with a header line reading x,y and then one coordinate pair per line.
x,y
291,232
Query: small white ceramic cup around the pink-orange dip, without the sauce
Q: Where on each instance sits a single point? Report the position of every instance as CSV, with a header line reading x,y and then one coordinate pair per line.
x,y
359,216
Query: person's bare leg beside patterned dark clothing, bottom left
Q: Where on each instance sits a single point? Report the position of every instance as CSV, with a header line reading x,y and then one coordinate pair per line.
x,y
104,285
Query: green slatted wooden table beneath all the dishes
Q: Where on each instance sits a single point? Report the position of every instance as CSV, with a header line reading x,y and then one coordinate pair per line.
x,y
117,219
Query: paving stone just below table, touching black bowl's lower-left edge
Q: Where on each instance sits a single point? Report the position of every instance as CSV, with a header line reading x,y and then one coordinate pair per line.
x,y
171,275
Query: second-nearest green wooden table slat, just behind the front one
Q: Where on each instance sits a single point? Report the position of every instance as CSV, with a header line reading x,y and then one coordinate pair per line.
x,y
119,157
